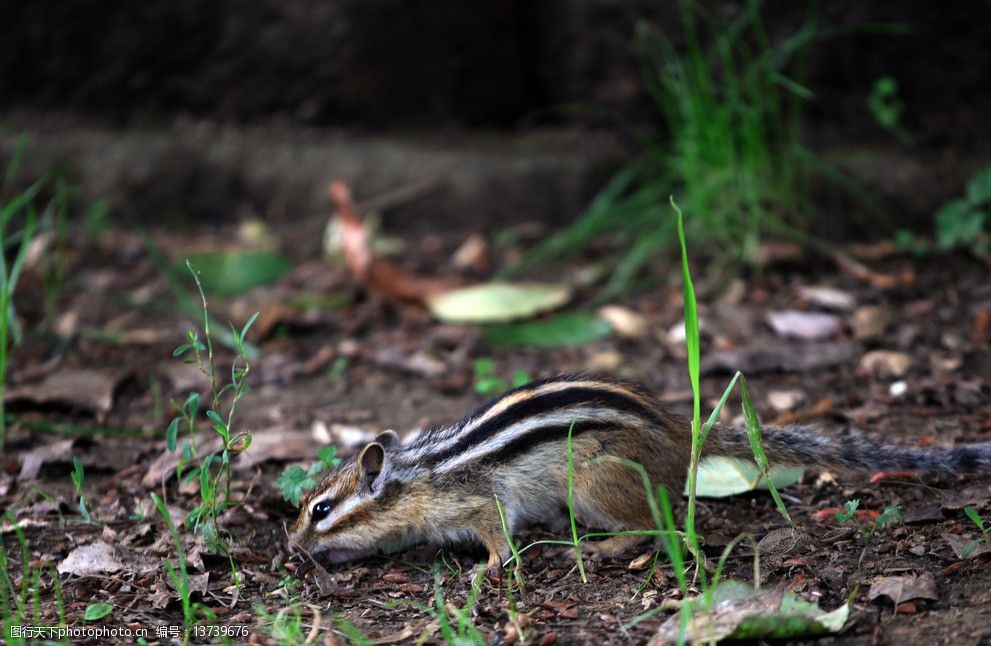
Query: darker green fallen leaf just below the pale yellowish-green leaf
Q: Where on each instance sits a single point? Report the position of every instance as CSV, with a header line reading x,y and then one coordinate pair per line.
x,y
562,330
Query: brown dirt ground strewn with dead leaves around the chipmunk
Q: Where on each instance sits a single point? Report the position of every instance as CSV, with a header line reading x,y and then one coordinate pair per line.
x,y
95,376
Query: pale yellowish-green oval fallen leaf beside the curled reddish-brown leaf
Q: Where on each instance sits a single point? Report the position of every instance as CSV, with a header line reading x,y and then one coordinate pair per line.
x,y
498,302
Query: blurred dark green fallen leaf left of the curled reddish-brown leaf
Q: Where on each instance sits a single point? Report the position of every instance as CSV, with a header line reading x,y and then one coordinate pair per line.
x,y
230,273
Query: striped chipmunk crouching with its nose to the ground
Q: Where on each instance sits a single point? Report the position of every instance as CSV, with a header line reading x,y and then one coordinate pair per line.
x,y
441,486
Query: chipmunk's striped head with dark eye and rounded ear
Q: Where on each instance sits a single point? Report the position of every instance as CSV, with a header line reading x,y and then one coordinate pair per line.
x,y
343,518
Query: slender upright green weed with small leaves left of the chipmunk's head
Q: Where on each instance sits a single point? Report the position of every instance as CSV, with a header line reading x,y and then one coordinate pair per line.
x,y
215,494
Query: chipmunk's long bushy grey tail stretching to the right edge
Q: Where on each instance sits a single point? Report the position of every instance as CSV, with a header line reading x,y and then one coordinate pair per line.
x,y
800,446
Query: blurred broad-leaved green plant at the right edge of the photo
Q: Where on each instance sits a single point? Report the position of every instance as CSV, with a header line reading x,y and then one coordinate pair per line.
x,y
964,222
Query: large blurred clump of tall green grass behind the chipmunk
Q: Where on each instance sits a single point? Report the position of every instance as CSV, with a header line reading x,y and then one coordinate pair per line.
x,y
731,109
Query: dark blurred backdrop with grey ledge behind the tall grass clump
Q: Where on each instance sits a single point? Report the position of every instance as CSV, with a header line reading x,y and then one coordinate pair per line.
x,y
235,107
